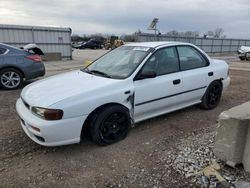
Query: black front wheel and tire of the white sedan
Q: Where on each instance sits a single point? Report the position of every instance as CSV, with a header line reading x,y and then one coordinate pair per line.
x,y
110,125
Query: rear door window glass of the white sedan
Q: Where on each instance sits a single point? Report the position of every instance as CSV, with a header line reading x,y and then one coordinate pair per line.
x,y
190,58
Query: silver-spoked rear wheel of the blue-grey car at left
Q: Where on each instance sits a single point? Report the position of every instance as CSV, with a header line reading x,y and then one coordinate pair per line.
x,y
10,79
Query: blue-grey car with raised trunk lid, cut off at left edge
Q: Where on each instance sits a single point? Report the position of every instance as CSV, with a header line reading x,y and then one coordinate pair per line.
x,y
17,65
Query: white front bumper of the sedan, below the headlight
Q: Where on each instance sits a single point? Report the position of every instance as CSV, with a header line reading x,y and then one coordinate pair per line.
x,y
52,133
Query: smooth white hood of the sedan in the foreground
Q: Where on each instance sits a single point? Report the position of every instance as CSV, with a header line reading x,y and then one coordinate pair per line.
x,y
49,91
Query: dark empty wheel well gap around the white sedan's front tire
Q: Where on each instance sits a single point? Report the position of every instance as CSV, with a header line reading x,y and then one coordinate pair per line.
x,y
85,127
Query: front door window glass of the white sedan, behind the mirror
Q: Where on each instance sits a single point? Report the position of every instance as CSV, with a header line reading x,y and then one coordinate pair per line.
x,y
163,61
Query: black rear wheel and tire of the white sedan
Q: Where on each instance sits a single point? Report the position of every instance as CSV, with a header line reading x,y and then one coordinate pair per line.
x,y
211,98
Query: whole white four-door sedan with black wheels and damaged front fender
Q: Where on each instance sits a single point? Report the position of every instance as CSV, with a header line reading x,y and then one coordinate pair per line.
x,y
129,84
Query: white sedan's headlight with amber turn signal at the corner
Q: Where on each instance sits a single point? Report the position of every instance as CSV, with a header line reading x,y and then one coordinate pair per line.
x,y
48,114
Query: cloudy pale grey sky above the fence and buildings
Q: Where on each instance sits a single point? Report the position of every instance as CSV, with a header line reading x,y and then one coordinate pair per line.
x,y
128,16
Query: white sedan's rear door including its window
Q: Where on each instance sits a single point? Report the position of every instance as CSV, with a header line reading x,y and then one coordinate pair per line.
x,y
196,73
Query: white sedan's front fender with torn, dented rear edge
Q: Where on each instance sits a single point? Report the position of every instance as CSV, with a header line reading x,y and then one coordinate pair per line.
x,y
84,104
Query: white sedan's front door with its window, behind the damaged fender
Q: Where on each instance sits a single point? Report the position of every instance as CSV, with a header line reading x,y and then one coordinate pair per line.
x,y
155,96
